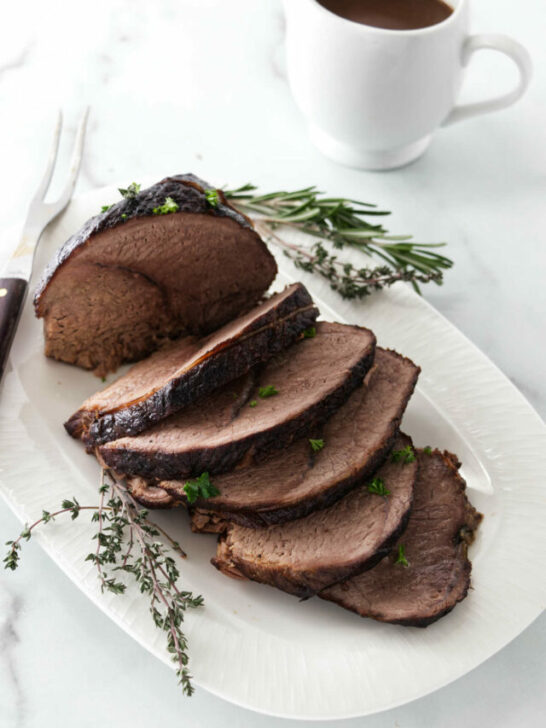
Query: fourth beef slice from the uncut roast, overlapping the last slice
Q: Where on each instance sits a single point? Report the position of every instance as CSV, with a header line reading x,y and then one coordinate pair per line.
x,y
304,556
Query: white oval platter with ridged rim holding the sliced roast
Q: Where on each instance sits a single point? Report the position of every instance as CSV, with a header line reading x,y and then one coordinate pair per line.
x,y
263,649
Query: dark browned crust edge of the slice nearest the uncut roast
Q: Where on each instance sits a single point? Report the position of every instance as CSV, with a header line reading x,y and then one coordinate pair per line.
x,y
229,360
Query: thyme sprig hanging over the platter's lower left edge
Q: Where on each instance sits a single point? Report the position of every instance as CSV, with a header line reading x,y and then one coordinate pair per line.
x,y
127,541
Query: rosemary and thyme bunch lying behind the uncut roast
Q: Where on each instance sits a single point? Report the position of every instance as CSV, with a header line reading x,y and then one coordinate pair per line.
x,y
340,223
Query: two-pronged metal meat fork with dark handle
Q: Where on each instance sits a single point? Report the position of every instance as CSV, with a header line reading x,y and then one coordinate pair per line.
x,y
17,272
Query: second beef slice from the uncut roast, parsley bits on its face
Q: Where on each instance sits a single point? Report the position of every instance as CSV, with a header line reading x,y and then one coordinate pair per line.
x,y
298,389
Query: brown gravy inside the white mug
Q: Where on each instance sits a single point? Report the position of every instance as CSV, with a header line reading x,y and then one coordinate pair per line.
x,y
391,14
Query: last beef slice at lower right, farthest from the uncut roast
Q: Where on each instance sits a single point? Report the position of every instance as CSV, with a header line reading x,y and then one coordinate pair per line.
x,y
437,575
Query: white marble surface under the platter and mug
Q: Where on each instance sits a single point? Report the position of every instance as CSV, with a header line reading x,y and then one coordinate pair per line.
x,y
198,85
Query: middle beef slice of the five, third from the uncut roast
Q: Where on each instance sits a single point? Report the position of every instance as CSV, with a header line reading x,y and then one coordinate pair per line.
x,y
293,483
